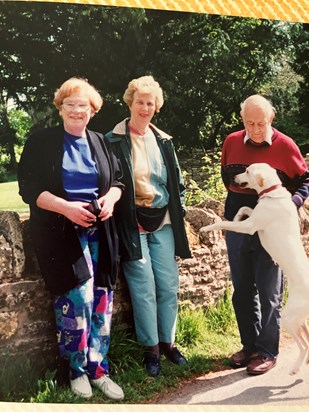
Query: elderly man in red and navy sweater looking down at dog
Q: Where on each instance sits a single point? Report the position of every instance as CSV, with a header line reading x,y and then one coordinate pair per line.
x,y
256,278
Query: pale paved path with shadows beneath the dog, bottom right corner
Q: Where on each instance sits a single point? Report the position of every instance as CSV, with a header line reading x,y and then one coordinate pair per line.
x,y
236,387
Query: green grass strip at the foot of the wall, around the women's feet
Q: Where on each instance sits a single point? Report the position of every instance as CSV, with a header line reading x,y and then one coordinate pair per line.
x,y
206,349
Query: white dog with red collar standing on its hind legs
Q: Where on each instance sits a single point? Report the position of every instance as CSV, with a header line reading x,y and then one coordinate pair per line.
x,y
275,219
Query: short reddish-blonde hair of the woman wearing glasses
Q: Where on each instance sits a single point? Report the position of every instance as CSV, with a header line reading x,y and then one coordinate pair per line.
x,y
78,84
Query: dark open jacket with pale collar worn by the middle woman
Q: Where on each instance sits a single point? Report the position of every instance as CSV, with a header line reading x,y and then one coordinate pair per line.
x,y
125,211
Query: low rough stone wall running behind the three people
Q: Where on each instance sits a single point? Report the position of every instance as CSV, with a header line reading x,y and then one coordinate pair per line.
x,y
26,314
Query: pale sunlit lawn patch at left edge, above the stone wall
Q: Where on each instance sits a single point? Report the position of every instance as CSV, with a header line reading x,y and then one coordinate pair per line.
x,y
10,199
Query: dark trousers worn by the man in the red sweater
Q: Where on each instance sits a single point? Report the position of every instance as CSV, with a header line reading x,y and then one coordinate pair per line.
x,y
258,289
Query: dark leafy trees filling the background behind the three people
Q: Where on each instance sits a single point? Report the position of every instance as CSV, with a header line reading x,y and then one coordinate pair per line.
x,y
206,65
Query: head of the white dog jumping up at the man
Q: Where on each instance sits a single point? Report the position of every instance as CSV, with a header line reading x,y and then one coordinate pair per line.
x,y
258,176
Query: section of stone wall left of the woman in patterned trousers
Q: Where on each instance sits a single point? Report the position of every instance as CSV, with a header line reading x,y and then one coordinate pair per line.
x,y
26,322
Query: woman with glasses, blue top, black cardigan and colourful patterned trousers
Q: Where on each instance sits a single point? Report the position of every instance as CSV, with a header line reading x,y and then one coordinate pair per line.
x,y
70,180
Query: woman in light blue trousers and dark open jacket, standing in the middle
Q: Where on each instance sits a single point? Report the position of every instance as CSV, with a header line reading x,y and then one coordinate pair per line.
x,y
150,222
